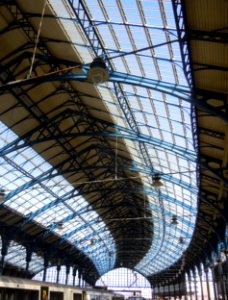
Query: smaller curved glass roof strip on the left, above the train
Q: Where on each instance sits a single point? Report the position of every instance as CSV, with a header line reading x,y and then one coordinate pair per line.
x,y
49,204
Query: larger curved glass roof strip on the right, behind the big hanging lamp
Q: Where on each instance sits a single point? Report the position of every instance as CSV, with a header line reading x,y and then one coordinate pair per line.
x,y
125,27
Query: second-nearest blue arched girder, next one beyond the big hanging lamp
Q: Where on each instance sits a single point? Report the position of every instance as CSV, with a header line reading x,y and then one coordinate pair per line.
x,y
35,136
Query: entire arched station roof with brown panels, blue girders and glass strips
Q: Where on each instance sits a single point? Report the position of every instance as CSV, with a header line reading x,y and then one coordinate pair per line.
x,y
113,134
